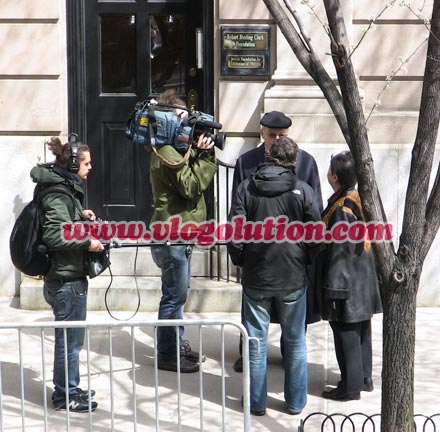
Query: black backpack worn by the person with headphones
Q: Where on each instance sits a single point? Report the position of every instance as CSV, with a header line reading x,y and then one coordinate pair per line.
x,y
28,252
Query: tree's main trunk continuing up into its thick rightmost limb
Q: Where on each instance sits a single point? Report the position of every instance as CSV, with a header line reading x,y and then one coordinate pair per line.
x,y
420,225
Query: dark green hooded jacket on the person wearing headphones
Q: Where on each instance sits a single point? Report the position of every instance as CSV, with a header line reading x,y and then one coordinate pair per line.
x,y
68,258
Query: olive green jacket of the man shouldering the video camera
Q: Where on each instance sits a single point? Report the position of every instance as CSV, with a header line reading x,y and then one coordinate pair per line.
x,y
179,191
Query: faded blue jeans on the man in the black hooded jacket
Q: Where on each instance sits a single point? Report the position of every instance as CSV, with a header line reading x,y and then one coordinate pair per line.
x,y
291,307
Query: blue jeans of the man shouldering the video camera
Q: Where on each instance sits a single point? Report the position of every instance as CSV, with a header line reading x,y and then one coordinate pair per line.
x,y
174,261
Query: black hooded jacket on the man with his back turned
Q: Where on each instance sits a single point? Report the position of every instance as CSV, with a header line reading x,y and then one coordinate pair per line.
x,y
271,192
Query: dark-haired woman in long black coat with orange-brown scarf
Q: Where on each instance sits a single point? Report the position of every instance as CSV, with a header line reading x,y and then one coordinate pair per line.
x,y
348,285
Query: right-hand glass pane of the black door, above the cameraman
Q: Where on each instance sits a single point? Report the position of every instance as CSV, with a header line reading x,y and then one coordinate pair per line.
x,y
167,54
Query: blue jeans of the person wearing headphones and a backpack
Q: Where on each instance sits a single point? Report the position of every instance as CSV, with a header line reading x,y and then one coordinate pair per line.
x,y
69,303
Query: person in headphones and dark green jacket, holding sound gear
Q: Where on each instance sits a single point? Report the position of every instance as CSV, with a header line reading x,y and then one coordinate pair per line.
x,y
66,284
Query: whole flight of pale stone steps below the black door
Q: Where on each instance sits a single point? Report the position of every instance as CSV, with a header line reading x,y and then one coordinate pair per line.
x,y
125,290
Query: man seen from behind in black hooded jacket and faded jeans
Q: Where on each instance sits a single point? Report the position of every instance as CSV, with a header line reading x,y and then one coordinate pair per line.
x,y
267,267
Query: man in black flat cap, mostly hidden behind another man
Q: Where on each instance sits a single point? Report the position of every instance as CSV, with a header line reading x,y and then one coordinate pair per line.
x,y
275,125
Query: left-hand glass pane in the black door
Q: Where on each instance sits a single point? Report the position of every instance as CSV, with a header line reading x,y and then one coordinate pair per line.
x,y
118,53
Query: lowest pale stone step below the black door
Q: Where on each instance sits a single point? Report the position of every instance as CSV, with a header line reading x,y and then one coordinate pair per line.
x,y
125,292
